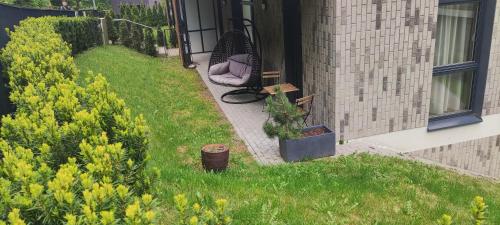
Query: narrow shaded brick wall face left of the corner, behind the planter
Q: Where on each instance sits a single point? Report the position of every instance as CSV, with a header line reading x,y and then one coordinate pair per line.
x,y
318,48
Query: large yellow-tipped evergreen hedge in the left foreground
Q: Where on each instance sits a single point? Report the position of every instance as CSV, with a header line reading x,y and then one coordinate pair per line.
x,y
71,154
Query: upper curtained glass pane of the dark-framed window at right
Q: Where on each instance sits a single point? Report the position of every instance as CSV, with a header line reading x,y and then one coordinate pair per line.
x,y
456,32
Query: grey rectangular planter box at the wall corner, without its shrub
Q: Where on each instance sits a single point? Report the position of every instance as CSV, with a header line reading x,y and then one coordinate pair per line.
x,y
309,147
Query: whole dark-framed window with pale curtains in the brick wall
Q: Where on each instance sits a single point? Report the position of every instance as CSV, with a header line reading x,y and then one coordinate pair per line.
x,y
463,39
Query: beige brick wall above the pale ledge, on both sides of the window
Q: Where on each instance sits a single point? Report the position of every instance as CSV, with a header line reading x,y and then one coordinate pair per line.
x,y
369,64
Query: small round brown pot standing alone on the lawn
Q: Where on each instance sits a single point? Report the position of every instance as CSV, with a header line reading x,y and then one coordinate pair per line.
x,y
215,157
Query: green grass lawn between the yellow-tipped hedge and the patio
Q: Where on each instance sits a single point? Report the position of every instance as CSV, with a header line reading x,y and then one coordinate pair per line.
x,y
350,190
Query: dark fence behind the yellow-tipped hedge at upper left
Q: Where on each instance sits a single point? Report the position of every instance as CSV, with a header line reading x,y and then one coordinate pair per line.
x,y
10,16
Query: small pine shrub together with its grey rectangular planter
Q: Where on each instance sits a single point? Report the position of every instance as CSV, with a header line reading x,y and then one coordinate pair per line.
x,y
296,142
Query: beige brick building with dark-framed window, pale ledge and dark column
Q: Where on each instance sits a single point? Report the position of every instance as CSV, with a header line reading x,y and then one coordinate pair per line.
x,y
424,74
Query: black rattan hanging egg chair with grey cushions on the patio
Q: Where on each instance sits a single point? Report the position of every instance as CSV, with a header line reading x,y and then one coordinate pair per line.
x,y
235,62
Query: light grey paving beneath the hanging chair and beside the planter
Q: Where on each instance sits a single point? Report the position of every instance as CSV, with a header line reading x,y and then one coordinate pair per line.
x,y
248,120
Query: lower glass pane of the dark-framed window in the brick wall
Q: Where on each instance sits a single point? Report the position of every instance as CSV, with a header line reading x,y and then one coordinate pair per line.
x,y
451,93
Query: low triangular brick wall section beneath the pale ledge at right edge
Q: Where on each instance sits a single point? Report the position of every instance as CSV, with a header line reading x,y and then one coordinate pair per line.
x,y
481,156
